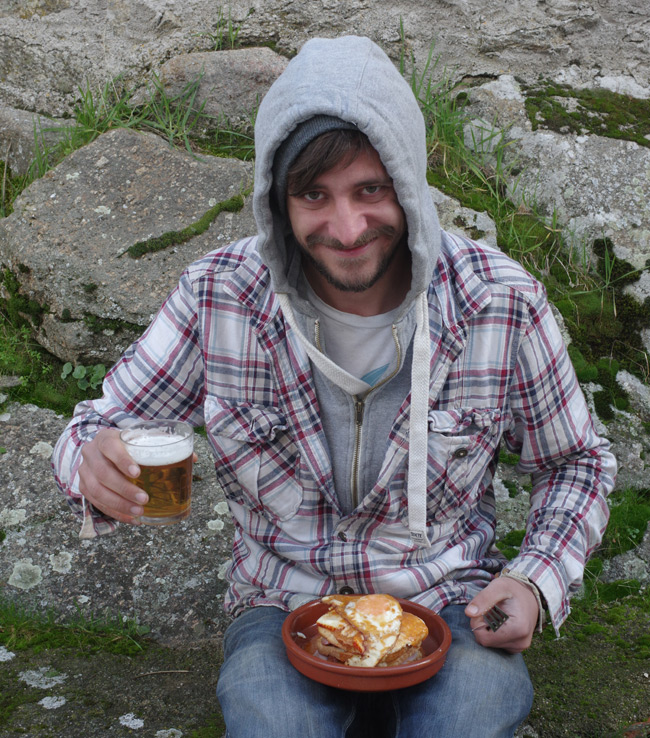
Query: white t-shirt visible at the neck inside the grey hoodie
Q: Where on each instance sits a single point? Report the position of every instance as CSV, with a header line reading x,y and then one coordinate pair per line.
x,y
363,346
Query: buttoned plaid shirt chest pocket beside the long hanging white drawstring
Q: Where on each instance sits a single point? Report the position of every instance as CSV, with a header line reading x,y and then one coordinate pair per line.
x,y
462,445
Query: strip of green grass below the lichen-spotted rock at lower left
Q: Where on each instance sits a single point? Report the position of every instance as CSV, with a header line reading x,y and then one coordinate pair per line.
x,y
22,629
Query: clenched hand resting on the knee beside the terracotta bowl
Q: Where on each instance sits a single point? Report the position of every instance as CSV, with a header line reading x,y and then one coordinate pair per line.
x,y
516,600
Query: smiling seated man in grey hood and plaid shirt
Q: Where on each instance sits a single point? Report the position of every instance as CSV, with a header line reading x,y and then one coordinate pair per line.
x,y
356,370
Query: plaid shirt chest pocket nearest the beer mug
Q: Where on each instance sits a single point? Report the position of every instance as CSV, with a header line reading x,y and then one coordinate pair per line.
x,y
257,462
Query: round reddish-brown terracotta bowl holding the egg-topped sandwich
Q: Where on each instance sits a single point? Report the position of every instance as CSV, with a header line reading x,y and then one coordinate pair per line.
x,y
300,626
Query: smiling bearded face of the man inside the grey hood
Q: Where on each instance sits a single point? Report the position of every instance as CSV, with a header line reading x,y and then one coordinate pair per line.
x,y
350,226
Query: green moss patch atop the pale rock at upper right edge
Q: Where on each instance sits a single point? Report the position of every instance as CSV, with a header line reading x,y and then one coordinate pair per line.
x,y
599,112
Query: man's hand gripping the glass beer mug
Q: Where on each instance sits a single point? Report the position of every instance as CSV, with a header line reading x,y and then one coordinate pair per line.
x,y
105,478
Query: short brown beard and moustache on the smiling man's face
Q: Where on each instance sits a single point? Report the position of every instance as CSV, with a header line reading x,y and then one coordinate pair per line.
x,y
352,284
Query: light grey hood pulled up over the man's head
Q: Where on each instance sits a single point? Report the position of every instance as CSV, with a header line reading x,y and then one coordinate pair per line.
x,y
359,84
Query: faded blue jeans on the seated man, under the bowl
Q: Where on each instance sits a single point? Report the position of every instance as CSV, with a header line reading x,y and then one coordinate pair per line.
x,y
479,693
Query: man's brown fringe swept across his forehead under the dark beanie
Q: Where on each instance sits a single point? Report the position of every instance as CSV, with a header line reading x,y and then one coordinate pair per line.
x,y
334,148
